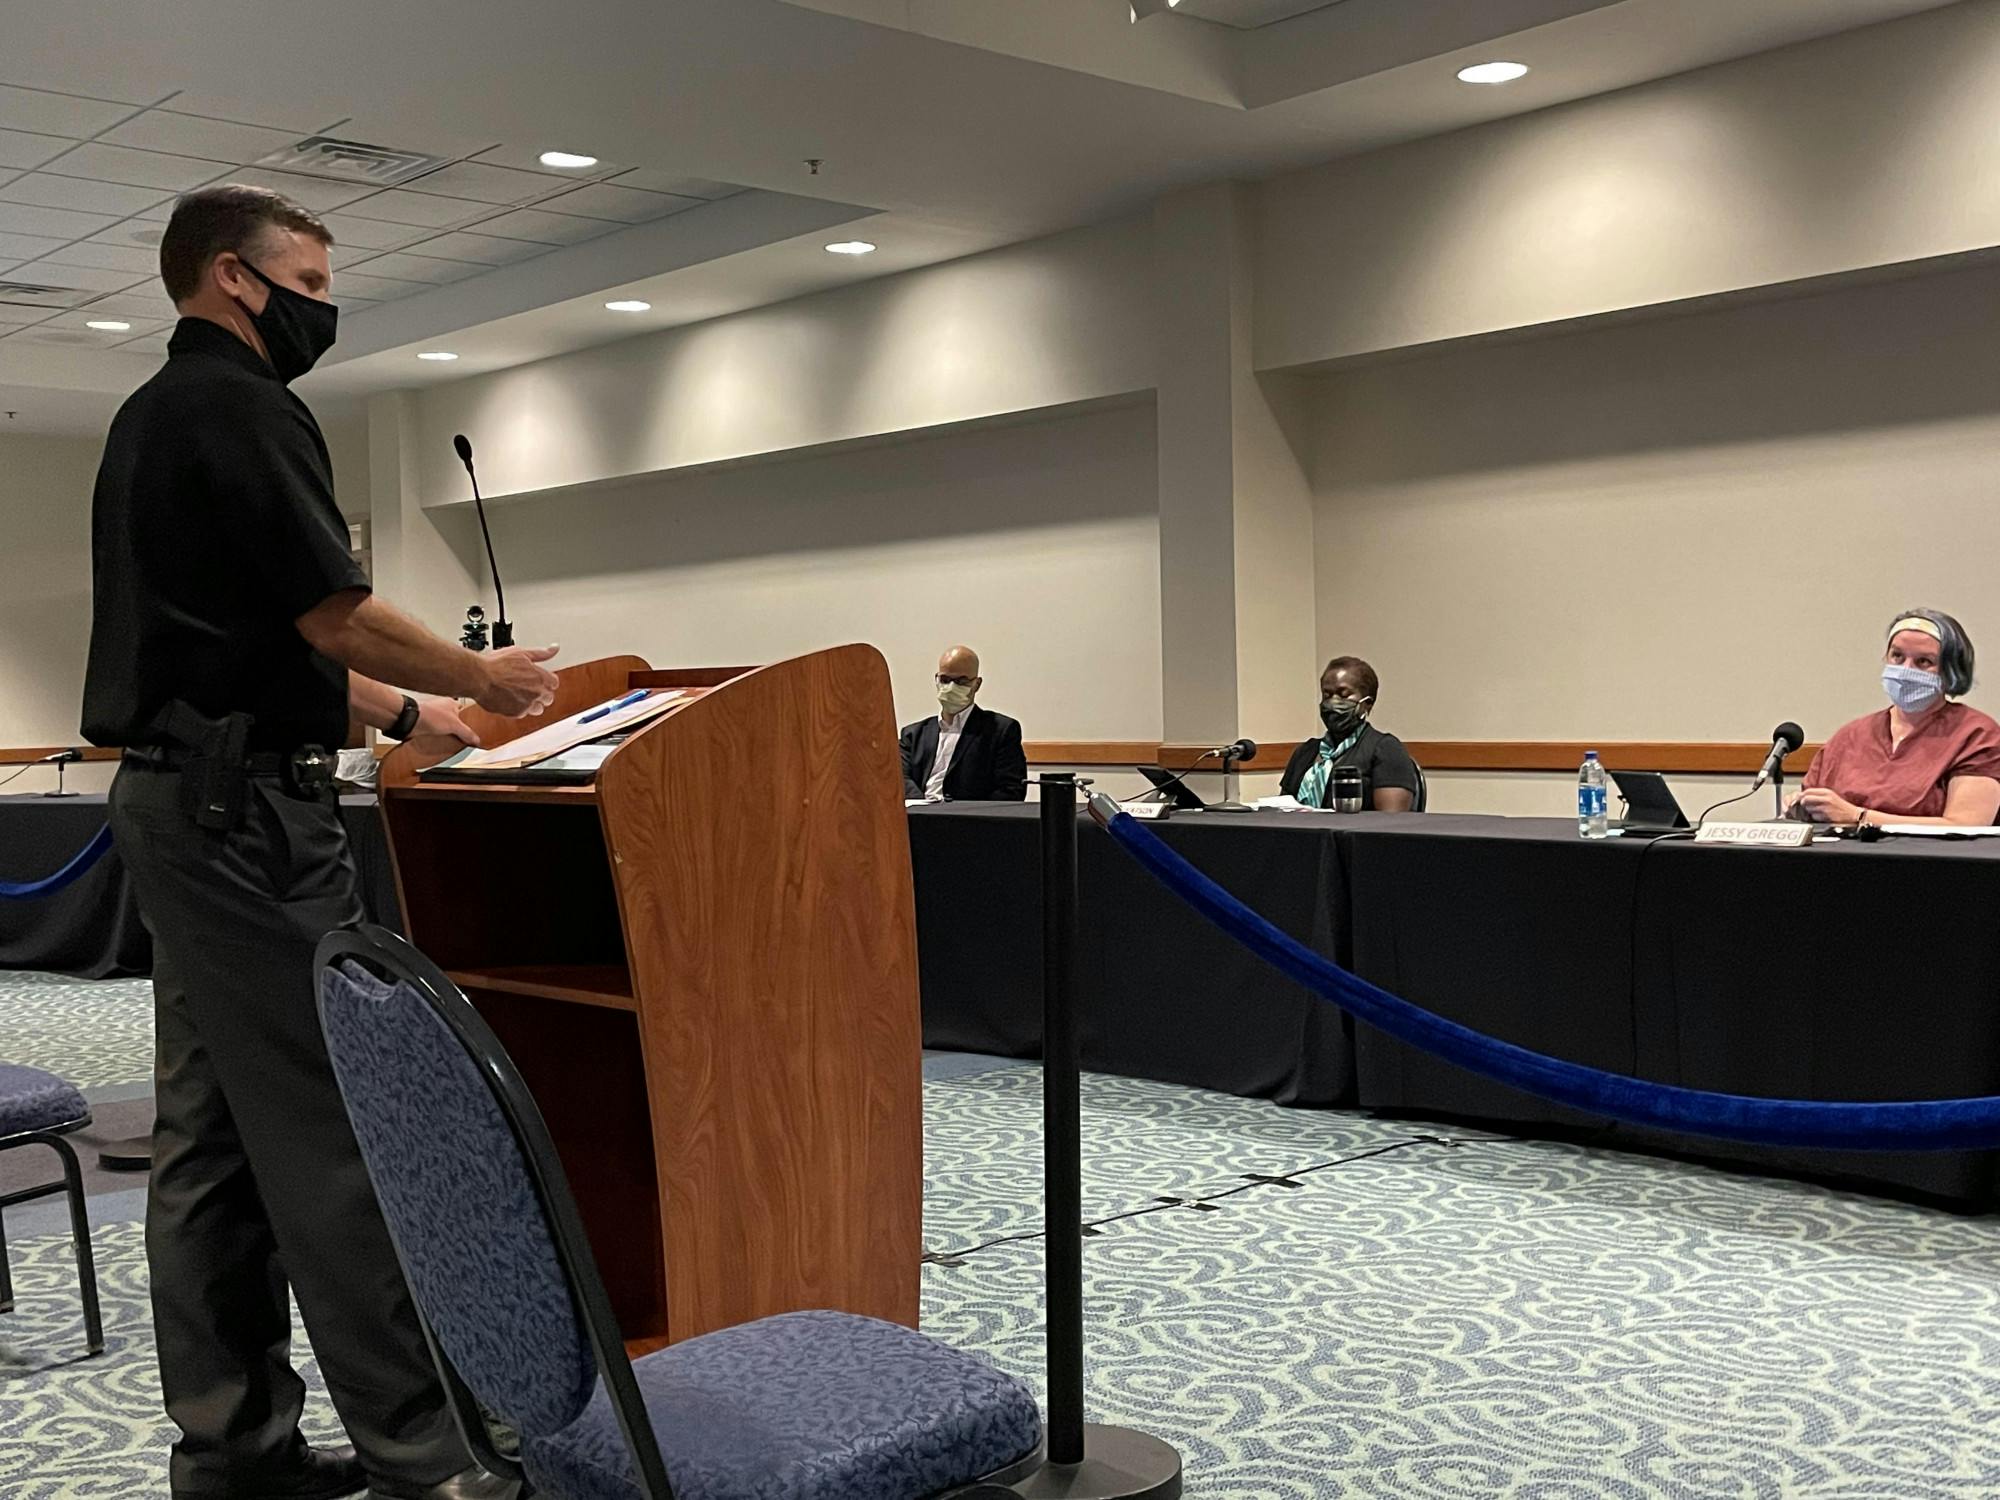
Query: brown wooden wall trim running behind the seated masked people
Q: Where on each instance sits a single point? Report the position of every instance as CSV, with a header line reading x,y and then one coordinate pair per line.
x,y
1675,757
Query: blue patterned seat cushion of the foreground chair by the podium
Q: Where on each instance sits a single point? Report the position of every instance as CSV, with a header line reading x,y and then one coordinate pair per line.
x,y
803,1407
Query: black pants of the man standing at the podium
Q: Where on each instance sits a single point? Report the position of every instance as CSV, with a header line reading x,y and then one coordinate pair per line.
x,y
257,1179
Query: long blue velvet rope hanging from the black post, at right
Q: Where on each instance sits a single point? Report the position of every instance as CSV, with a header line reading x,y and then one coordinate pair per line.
x,y
1911,1127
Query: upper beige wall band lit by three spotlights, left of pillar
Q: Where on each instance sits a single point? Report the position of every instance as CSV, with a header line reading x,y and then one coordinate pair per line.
x,y
1031,327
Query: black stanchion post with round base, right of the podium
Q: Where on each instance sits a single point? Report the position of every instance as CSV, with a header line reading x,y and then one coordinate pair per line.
x,y
1085,1461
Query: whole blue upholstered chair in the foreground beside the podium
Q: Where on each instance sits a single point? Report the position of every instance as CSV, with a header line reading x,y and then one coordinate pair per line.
x,y
799,1407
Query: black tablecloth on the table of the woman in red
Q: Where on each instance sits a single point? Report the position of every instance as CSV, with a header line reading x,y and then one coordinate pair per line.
x,y
1833,973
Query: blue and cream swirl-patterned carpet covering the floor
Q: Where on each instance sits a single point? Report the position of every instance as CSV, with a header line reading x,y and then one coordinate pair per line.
x,y
1395,1317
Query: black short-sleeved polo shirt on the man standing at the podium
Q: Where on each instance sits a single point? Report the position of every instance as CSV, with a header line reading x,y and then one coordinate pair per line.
x,y
211,533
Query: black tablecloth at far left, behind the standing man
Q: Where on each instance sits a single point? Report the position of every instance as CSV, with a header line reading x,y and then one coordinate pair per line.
x,y
93,929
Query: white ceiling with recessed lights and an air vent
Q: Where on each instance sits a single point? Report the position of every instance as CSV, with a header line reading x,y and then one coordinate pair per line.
x,y
943,129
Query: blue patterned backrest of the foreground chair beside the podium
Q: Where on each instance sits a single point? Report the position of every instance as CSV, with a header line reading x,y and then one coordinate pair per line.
x,y
473,1193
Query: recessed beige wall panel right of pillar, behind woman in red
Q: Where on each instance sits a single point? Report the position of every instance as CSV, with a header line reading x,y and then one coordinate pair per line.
x,y
1685,529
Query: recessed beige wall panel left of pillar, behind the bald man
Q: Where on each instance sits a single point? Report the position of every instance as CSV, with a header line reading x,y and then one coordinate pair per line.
x,y
1035,543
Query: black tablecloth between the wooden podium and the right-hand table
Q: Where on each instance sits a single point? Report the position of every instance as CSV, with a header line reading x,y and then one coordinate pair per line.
x,y
1163,995
